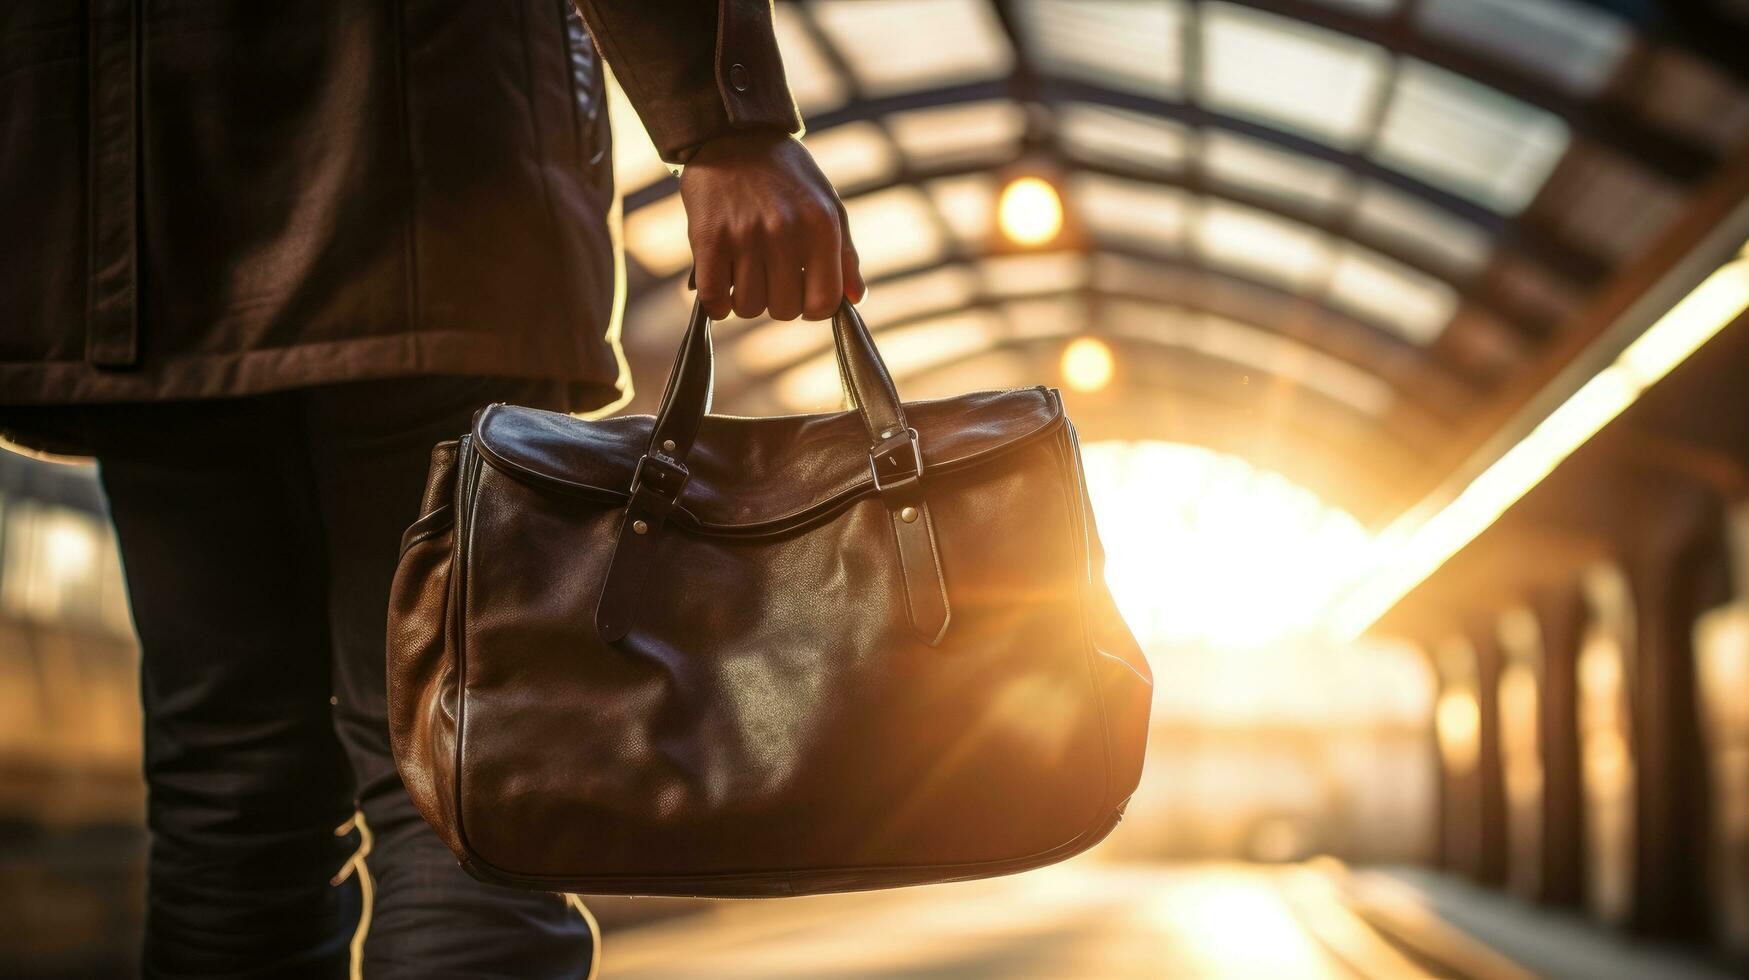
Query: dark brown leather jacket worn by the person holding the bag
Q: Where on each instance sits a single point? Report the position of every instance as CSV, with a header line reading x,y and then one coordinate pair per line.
x,y
214,199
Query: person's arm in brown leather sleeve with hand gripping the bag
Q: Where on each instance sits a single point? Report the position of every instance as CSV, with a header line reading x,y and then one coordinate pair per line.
x,y
706,76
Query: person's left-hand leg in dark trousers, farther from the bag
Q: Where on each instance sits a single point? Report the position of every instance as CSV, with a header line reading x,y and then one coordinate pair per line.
x,y
247,781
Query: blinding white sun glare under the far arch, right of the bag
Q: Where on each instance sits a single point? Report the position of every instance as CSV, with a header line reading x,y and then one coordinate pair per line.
x,y
1229,575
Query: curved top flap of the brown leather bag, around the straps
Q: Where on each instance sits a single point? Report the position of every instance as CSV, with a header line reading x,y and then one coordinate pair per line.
x,y
755,475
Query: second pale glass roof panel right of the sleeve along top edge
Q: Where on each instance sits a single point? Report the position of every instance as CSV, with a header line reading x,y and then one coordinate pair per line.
x,y
1127,45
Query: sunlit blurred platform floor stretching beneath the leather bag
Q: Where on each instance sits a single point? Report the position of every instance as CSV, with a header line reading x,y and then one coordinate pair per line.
x,y
1103,921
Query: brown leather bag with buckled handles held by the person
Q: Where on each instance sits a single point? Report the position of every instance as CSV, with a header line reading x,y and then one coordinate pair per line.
x,y
753,657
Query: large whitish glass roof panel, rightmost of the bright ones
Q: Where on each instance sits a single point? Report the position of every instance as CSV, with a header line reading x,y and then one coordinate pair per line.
x,y
1470,139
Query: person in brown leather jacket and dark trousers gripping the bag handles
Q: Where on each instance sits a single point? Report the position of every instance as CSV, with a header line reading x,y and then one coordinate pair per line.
x,y
258,260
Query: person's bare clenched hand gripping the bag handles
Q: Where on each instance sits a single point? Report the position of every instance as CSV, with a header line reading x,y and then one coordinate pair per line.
x,y
767,228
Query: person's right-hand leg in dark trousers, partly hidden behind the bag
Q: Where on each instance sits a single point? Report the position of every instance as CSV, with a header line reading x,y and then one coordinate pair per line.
x,y
372,447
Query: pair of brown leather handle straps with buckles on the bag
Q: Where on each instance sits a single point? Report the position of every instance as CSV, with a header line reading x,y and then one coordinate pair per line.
x,y
896,461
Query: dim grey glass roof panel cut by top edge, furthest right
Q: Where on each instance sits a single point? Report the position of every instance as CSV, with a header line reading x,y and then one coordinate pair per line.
x,y
1575,45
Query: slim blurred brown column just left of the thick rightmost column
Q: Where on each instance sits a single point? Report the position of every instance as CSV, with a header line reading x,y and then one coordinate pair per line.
x,y
1563,619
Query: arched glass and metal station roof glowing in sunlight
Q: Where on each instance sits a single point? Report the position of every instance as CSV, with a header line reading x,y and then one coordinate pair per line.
x,y
1349,221
